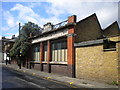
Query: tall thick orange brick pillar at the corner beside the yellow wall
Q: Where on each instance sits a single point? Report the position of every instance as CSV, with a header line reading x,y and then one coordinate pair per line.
x,y
70,46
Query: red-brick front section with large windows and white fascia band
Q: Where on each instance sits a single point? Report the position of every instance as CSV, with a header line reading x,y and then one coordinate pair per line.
x,y
53,50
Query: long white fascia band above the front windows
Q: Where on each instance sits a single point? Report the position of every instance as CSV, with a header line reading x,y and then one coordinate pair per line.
x,y
51,36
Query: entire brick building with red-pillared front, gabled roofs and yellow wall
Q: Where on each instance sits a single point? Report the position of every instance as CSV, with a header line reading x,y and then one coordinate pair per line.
x,y
78,49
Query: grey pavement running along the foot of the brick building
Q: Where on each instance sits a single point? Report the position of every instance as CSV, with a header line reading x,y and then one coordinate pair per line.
x,y
74,82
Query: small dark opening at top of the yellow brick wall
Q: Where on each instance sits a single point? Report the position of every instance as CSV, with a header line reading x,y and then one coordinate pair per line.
x,y
109,45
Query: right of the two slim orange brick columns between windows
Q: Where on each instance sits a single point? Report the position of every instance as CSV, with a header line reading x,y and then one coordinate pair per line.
x,y
49,55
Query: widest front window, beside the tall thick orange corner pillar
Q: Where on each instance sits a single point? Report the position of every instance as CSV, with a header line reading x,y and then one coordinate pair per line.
x,y
59,51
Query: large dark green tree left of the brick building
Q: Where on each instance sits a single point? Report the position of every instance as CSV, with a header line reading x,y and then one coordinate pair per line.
x,y
22,45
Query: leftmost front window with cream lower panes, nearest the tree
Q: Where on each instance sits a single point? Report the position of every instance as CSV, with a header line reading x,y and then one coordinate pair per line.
x,y
36,52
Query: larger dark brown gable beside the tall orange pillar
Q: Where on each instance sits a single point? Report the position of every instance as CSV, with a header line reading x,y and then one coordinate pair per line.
x,y
88,29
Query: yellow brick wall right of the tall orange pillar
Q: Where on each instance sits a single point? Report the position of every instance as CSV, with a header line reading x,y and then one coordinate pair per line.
x,y
93,63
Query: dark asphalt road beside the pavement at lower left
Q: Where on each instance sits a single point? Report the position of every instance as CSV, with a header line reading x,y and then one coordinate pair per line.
x,y
14,79
